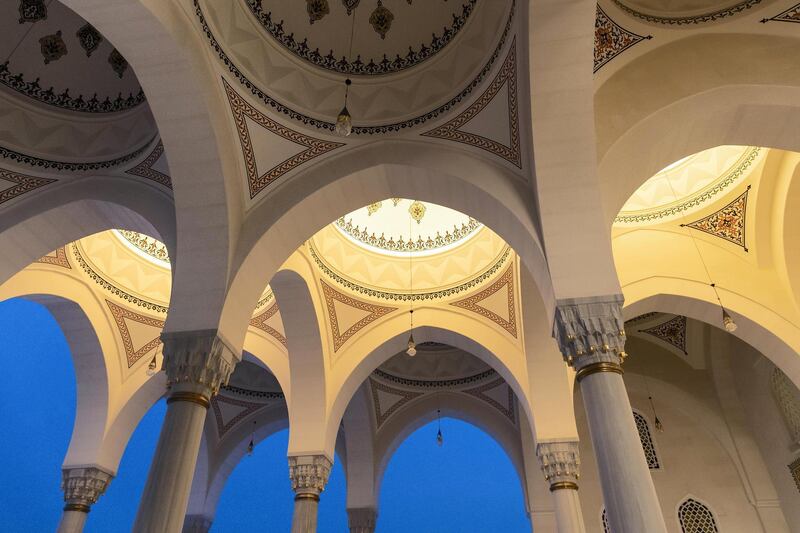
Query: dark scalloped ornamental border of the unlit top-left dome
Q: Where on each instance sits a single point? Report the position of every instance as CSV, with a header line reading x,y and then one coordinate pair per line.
x,y
32,89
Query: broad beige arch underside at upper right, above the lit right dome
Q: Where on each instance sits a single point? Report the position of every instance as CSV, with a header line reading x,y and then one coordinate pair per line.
x,y
680,88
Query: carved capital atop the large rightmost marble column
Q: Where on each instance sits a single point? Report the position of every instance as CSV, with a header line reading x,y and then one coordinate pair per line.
x,y
590,330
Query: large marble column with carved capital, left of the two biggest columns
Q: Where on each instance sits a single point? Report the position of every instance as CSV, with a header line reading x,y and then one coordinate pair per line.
x,y
196,365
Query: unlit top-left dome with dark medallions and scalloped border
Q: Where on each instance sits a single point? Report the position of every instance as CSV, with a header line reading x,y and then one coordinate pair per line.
x,y
53,56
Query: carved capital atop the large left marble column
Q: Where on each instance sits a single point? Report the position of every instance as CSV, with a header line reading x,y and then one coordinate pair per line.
x,y
198,358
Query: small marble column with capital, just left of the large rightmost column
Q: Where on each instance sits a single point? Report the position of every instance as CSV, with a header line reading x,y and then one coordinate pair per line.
x,y
560,462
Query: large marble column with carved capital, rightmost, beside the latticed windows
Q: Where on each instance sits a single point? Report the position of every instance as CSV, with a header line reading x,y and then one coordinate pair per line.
x,y
590,333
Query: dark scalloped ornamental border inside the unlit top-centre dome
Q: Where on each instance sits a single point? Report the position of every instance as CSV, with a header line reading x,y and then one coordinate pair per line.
x,y
344,66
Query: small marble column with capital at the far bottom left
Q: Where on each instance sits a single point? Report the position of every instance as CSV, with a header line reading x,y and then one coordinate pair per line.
x,y
82,487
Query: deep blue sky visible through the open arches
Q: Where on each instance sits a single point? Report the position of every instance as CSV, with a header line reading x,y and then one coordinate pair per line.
x,y
467,486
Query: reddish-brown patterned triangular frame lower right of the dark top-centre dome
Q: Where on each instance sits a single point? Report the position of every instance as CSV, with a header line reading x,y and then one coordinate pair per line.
x,y
454,129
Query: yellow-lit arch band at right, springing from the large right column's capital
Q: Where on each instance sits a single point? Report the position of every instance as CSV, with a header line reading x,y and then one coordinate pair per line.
x,y
681,298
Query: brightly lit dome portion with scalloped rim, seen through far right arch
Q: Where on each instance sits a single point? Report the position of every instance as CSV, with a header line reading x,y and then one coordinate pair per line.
x,y
688,184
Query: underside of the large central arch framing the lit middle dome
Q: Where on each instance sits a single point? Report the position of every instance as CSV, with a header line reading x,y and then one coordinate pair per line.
x,y
386,169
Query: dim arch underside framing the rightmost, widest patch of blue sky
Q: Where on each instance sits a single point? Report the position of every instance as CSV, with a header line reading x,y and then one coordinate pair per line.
x,y
458,406
